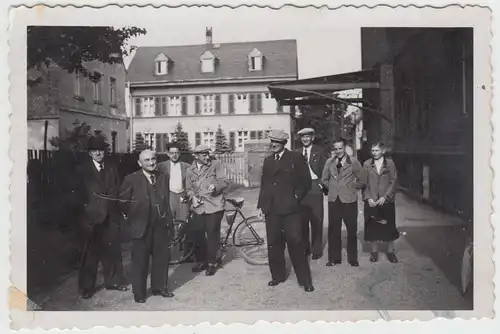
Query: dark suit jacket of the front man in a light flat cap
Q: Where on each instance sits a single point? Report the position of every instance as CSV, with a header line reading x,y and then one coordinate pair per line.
x,y
284,183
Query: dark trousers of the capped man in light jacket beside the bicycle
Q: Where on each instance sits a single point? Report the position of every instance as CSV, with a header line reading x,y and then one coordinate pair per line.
x,y
206,232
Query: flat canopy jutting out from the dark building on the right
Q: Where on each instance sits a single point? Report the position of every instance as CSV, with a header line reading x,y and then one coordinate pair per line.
x,y
320,90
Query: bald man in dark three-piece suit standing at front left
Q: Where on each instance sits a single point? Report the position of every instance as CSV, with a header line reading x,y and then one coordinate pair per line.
x,y
145,202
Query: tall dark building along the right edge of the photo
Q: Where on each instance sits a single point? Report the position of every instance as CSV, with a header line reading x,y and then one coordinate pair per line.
x,y
430,71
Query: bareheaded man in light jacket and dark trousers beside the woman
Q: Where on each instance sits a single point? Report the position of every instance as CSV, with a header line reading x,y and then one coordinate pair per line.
x,y
343,177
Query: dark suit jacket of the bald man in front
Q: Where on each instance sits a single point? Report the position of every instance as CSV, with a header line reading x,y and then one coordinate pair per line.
x,y
136,202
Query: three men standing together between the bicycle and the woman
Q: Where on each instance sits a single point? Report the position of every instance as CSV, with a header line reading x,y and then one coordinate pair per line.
x,y
291,197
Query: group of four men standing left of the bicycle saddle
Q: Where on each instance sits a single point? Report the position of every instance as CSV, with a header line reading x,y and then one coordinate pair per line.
x,y
146,203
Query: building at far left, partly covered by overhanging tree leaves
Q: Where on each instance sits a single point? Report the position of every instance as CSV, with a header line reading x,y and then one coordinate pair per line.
x,y
60,100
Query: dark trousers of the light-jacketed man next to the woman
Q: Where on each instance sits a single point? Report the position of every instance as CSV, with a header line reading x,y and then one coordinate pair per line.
x,y
338,211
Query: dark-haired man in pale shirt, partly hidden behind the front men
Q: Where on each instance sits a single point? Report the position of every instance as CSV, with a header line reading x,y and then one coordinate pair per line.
x,y
176,171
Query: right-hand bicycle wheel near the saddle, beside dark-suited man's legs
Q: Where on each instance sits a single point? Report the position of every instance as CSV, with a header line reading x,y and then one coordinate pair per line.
x,y
250,238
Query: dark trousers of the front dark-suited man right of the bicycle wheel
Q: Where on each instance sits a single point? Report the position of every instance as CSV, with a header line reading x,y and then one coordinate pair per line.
x,y
287,228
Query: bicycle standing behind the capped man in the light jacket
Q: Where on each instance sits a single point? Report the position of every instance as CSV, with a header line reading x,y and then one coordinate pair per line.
x,y
249,236
